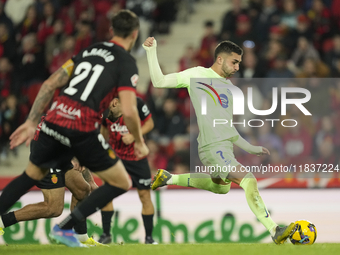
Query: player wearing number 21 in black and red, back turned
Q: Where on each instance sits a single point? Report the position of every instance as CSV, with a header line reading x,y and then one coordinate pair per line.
x,y
88,83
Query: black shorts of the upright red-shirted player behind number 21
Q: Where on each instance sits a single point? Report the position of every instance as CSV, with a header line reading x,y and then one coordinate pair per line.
x,y
139,172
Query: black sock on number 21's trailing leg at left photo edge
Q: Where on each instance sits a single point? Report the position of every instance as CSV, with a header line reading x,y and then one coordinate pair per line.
x,y
14,190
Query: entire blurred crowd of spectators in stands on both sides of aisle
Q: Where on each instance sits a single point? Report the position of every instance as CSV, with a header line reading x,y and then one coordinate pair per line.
x,y
282,40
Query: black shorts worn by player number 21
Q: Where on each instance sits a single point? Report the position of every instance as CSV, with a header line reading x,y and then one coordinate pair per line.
x,y
56,146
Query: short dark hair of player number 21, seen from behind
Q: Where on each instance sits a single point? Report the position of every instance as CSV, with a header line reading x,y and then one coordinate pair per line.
x,y
124,22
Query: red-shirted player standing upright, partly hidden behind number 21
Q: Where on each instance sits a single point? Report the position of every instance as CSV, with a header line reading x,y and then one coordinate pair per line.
x,y
116,132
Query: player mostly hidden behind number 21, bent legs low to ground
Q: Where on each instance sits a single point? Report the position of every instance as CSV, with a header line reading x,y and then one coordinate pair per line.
x,y
77,179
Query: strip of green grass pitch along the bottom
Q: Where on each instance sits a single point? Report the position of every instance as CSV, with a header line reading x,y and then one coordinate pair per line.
x,y
174,249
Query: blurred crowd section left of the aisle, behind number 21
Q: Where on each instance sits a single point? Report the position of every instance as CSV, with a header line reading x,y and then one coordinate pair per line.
x,y
38,36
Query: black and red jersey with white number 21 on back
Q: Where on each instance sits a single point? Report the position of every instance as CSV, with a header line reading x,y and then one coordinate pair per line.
x,y
100,72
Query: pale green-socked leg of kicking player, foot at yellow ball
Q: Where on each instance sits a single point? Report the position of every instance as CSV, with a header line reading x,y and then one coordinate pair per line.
x,y
248,182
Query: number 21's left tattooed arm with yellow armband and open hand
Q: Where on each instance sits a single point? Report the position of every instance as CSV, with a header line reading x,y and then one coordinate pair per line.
x,y
58,79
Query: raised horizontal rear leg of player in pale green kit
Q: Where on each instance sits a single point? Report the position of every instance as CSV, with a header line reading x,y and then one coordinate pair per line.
x,y
195,180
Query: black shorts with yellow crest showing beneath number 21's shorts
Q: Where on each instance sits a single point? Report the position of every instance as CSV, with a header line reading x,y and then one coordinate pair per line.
x,y
54,179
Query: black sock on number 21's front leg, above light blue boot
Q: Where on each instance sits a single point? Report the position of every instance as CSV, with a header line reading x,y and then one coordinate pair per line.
x,y
95,201
